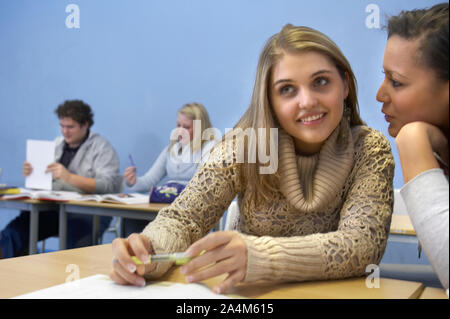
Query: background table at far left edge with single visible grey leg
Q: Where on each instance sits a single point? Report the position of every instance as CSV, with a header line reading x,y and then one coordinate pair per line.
x,y
34,207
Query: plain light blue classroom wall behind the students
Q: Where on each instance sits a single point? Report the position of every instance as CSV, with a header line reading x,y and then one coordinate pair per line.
x,y
136,62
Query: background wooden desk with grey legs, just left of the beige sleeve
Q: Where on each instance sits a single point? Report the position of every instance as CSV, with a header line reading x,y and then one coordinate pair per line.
x,y
138,211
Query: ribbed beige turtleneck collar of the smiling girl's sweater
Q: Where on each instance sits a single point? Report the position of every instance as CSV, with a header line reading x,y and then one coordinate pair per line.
x,y
310,183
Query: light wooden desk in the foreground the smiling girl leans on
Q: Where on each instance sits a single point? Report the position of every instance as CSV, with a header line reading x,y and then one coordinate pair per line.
x,y
26,274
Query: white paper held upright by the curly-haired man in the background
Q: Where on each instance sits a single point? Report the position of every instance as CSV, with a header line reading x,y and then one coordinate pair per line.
x,y
40,154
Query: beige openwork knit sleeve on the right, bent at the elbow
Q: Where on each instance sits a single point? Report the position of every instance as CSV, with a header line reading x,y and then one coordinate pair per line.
x,y
360,237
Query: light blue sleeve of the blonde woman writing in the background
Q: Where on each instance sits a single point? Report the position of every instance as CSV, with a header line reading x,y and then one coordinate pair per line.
x,y
154,174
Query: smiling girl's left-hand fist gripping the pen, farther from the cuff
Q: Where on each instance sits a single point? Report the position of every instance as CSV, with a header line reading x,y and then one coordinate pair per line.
x,y
125,271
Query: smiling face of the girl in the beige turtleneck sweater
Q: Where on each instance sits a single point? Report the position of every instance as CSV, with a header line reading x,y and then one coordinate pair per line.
x,y
307,95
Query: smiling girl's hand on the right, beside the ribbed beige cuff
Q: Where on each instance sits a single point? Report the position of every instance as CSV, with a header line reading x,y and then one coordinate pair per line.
x,y
226,252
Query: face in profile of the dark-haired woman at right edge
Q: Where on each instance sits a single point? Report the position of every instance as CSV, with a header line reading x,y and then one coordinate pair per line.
x,y
410,91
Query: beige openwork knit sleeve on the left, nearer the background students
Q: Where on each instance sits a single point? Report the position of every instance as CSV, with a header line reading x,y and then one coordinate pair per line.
x,y
196,210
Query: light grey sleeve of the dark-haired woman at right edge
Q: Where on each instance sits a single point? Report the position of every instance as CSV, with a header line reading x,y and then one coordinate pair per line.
x,y
426,199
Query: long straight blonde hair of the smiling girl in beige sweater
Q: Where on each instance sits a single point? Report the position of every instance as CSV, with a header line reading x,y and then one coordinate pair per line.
x,y
260,113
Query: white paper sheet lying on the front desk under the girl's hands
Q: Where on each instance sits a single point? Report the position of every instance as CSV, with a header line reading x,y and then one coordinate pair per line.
x,y
102,287
